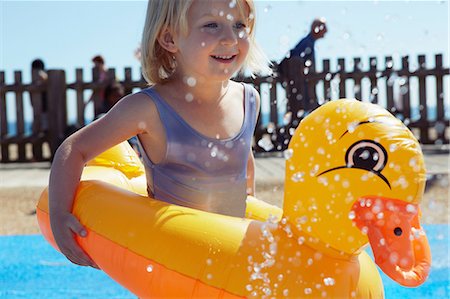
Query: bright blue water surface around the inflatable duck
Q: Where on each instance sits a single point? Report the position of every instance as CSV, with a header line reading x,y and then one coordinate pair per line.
x,y
31,268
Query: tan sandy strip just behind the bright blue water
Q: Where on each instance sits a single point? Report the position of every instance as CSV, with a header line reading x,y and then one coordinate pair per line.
x,y
17,205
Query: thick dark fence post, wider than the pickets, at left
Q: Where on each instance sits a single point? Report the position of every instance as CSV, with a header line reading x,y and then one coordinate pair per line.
x,y
57,108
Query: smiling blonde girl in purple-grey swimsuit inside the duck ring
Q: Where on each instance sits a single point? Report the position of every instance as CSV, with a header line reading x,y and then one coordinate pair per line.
x,y
194,124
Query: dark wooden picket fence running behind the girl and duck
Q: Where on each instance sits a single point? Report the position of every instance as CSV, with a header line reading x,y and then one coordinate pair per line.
x,y
393,87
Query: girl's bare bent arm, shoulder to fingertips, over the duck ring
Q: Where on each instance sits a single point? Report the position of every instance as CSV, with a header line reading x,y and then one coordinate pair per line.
x,y
124,120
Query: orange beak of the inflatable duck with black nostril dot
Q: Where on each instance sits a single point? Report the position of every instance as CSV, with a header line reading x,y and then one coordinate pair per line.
x,y
398,242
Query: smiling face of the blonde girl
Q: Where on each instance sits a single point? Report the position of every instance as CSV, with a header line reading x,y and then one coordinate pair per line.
x,y
216,43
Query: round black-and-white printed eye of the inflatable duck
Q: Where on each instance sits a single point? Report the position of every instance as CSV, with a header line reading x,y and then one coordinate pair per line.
x,y
366,154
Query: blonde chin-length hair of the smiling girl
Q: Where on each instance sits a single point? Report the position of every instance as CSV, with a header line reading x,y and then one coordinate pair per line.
x,y
158,64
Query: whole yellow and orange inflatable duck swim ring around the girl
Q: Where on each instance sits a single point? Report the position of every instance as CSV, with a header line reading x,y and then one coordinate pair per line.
x,y
354,176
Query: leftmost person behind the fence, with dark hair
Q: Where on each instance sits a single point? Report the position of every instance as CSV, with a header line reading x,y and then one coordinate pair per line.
x,y
39,77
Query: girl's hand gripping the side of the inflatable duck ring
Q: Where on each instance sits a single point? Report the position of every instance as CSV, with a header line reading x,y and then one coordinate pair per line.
x,y
64,228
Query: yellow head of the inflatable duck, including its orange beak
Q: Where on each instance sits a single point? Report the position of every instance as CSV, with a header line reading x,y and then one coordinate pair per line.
x,y
355,175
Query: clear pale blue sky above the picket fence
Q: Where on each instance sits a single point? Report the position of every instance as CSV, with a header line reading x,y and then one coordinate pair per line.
x,y
67,34
